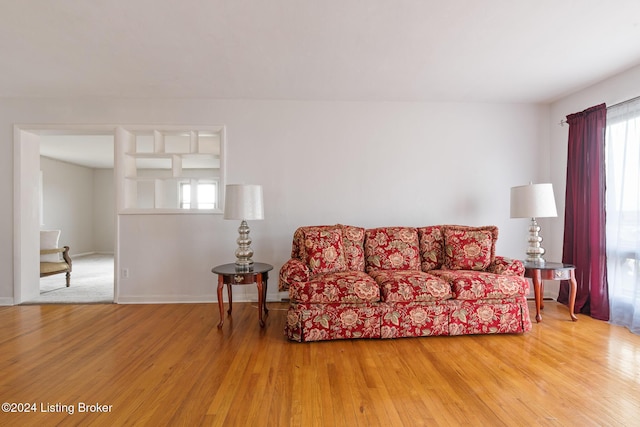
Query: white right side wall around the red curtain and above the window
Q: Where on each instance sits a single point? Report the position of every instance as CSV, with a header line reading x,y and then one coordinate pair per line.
x,y
616,89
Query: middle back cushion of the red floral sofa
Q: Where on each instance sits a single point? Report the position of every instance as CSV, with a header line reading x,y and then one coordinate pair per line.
x,y
392,248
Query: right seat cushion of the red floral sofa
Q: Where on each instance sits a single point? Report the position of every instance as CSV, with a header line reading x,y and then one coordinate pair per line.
x,y
477,285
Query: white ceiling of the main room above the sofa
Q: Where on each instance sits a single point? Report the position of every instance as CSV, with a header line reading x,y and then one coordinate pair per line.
x,y
532,51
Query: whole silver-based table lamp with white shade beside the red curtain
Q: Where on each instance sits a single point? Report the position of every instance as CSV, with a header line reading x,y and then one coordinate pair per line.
x,y
533,201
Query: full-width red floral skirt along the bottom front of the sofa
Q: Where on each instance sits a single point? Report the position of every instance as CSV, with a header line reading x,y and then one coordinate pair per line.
x,y
319,322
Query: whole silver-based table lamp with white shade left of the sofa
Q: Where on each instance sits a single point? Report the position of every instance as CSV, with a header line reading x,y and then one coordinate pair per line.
x,y
243,202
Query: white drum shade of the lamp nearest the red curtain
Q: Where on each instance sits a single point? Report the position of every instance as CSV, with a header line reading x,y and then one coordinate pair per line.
x,y
533,201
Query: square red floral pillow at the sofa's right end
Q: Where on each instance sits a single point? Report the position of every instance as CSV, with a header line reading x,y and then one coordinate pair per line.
x,y
469,248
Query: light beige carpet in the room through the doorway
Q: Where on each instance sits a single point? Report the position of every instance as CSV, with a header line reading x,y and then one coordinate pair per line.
x,y
91,282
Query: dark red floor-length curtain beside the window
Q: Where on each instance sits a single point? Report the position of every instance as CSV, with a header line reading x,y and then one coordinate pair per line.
x,y
584,217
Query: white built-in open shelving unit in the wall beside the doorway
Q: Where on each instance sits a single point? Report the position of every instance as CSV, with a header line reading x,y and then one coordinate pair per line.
x,y
175,170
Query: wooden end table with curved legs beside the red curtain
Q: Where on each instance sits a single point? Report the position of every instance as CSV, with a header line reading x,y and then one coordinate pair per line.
x,y
551,271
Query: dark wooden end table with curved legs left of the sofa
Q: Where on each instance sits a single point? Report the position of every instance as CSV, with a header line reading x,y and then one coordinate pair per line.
x,y
228,274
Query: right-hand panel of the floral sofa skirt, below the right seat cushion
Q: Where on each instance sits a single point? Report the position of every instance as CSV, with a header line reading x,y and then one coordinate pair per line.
x,y
489,317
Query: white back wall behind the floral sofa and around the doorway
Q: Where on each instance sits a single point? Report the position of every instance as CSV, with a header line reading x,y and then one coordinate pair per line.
x,y
368,164
